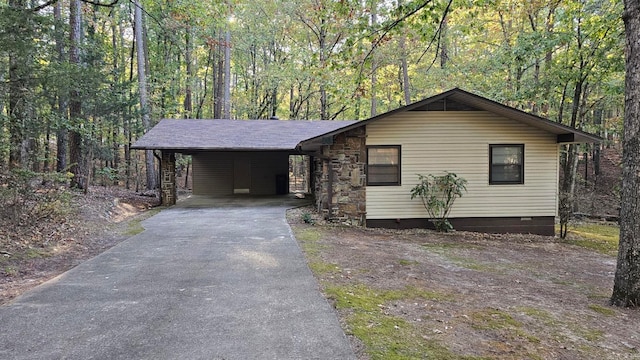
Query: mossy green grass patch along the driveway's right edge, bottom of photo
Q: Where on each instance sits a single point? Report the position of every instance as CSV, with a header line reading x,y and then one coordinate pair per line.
x,y
387,336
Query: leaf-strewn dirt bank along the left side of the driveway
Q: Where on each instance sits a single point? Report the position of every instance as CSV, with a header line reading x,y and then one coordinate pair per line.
x,y
100,219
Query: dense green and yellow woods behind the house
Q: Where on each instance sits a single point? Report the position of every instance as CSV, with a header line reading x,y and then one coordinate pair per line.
x,y
81,80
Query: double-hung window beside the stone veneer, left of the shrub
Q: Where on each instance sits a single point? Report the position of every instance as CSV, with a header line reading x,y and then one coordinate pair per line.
x,y
383,165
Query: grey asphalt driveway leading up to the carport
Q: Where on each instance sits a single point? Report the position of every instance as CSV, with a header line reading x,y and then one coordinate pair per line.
x,y
227,282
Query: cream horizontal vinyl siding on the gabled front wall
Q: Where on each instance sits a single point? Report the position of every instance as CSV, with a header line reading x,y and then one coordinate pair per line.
x,y
433,142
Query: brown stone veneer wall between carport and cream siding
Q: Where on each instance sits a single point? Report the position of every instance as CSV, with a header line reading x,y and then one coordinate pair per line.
x,y
346,158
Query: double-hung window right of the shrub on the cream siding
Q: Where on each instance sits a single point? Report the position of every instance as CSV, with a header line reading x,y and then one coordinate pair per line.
x,y
506,164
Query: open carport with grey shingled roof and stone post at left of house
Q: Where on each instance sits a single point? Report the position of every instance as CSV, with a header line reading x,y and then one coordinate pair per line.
x,y
231,157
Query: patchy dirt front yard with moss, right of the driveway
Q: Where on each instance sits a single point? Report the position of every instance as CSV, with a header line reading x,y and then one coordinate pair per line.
x,y
469,295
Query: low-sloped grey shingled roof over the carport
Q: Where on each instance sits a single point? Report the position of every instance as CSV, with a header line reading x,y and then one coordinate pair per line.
x,y
192,134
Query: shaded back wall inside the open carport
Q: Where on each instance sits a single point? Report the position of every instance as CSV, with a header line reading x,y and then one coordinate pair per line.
x,y
213,172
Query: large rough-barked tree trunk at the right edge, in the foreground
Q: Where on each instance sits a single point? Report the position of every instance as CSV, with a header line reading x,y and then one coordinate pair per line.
x,y
626,288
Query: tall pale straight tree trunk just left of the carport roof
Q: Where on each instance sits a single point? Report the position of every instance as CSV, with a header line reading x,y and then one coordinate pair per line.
x,y
144,104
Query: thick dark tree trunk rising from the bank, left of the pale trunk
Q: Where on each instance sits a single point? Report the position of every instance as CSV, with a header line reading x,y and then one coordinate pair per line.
x,y
75,103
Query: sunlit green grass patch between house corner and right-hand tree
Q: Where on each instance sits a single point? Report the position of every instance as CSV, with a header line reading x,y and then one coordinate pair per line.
x,y
602,238
